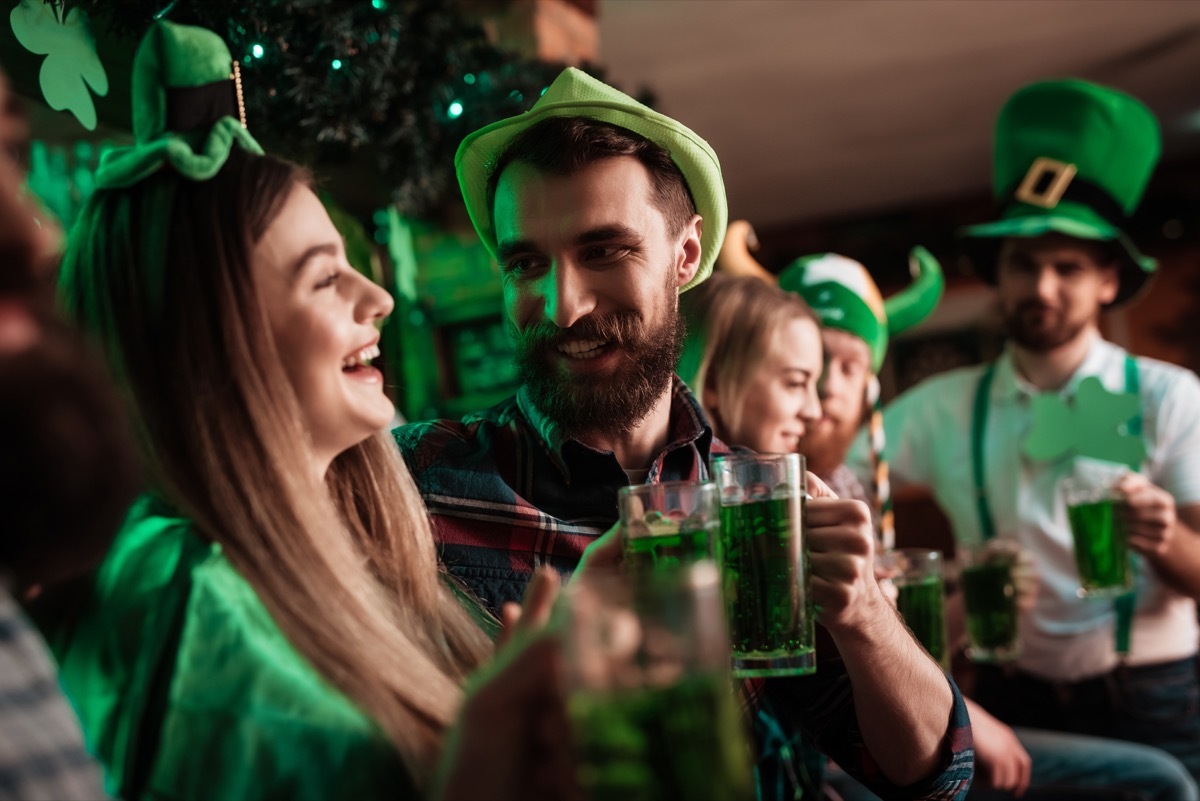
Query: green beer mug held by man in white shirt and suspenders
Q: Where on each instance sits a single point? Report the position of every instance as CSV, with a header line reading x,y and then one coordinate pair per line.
x,y
1097,529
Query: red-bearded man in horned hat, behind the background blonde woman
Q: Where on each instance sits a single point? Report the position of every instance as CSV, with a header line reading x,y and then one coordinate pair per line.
x,y
857,323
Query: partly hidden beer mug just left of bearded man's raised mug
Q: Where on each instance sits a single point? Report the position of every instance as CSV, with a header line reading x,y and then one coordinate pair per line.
x,y
669,526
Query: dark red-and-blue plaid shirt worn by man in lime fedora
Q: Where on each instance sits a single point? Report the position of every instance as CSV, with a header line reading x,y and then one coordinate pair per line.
x,y
508,493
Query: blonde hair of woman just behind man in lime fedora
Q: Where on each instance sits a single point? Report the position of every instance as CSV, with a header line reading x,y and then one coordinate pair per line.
x,y
733,322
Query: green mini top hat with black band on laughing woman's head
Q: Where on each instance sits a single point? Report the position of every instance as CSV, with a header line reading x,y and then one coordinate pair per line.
x,y
188,109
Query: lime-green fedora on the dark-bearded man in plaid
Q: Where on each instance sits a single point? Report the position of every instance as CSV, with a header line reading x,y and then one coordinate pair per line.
x,y
578,94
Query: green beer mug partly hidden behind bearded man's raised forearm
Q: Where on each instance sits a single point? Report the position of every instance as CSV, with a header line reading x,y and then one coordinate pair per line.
x,y
921,598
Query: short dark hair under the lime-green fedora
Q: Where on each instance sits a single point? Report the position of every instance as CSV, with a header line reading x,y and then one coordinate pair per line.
x,y
565,146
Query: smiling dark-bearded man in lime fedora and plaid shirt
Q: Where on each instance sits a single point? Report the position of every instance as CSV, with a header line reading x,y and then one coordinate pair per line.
x,y
601,212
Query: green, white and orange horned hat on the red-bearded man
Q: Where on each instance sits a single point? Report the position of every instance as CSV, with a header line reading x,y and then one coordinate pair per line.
x,y
844,296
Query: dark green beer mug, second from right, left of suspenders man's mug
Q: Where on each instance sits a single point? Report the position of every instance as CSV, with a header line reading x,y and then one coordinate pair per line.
x,y
989,595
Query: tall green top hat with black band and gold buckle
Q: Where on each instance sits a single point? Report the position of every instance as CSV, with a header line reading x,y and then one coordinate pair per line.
x,y
1071,158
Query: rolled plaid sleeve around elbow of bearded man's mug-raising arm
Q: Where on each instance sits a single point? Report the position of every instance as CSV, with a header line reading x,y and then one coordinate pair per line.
x,y
793,716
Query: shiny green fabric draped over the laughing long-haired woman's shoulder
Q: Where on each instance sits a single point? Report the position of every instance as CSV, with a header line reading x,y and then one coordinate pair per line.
x,y
175,641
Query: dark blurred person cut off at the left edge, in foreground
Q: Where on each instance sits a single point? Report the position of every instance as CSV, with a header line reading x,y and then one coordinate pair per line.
x,y
67,477
